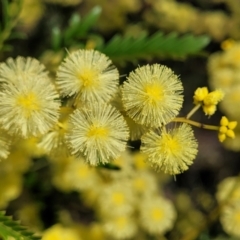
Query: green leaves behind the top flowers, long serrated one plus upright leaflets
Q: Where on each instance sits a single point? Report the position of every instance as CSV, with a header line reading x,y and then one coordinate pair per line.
x,y
126,48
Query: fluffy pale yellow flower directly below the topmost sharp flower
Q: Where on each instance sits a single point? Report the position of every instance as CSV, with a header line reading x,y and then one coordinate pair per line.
x,y
98,132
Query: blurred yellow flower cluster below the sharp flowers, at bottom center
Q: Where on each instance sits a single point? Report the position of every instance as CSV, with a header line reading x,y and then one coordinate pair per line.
x,y
127,202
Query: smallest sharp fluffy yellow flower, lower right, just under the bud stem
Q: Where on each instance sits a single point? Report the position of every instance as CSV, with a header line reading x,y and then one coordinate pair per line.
x,y
172,151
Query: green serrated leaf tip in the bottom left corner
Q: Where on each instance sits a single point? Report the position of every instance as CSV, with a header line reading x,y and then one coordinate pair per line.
x,y
10,229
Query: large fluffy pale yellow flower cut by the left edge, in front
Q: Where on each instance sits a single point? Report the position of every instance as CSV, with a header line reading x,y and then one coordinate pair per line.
x,y
28,107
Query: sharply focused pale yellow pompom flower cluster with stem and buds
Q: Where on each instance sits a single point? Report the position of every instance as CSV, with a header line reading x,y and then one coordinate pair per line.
x,y
93,117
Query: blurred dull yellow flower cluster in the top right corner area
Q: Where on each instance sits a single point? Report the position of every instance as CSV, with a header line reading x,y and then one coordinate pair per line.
x,y
183,17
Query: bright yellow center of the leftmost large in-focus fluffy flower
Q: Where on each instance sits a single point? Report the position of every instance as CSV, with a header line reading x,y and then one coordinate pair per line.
x,y
29,103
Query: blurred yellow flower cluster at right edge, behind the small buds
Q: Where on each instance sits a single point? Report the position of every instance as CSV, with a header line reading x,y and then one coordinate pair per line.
x,y
224,70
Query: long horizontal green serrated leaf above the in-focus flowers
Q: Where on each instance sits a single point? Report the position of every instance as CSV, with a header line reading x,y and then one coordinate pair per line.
x,y
171,45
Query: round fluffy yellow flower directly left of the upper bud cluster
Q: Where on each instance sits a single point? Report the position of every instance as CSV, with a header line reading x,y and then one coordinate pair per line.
x,y
152,95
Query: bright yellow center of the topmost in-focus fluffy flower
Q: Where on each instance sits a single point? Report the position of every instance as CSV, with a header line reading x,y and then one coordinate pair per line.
x,y
88,77
